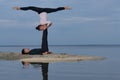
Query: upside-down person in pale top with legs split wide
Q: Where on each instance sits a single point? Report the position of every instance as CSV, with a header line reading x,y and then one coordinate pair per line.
x,y
44,23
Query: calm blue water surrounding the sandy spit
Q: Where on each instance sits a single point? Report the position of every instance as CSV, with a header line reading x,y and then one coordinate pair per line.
x,y
108,69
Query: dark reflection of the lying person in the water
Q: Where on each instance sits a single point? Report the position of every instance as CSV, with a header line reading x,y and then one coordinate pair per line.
x,y
44,68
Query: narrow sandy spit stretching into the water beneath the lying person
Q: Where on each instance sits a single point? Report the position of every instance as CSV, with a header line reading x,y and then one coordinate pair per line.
x,y
61,57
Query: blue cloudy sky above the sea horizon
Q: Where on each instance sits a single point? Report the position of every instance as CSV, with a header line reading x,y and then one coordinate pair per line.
x,y
89,22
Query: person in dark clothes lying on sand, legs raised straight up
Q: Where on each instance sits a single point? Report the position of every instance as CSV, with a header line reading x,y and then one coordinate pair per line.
x,y
44,47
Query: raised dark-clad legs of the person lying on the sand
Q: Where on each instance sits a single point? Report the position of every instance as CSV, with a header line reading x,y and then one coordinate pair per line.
x,y
44,45
